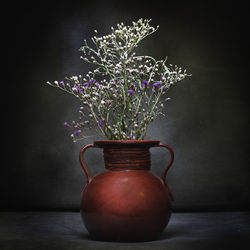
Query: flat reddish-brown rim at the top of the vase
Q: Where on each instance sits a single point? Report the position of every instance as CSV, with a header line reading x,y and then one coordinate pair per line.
x,y
146,143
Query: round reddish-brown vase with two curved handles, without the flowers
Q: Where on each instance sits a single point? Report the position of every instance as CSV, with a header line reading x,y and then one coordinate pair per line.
x,y
126,202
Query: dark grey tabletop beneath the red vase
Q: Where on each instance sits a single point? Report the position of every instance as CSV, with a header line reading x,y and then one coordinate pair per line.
x,y
64,230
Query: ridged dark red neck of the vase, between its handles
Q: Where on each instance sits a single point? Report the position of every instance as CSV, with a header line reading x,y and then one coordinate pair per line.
x,y
132,158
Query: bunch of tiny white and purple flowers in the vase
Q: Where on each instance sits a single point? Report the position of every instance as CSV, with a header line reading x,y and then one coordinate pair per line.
x,y
125,92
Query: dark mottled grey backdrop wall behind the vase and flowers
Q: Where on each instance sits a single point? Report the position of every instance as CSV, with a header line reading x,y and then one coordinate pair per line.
x,y
207,121
